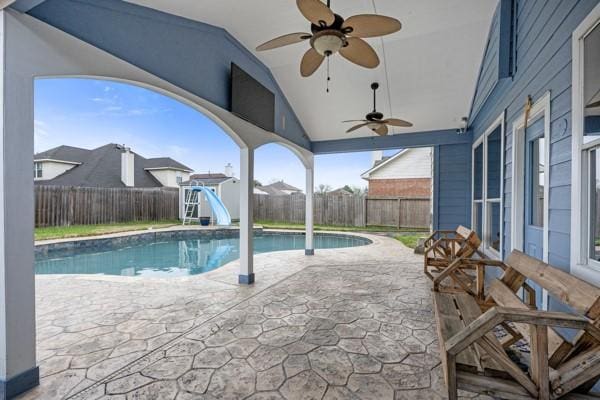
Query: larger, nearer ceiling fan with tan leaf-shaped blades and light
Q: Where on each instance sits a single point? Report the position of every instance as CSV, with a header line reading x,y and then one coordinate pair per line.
x,y
332,34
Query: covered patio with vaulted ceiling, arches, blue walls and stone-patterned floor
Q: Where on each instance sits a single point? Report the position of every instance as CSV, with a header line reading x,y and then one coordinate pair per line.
x,y
505,92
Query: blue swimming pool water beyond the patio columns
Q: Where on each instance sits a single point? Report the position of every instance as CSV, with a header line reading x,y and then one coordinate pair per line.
x,y
173,257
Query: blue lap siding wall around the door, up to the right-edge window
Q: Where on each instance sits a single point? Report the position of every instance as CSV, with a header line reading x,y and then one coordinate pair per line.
x,y
543,66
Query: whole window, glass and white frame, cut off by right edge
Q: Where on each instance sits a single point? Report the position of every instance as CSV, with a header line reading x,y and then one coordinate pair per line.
x,y
585,192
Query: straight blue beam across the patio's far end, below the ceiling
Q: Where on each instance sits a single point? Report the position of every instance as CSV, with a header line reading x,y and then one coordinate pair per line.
x,y
404,140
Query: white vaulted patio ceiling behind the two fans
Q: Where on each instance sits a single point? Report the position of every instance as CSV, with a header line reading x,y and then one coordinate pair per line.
x,y
427,74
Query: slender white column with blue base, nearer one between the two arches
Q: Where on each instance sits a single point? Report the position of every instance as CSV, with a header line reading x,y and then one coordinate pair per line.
x,y
246,275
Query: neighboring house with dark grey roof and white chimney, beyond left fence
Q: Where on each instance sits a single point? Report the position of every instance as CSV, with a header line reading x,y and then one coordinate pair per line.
x,y
111,166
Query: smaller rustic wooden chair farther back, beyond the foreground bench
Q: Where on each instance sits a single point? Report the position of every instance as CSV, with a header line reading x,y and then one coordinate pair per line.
x,y
448,255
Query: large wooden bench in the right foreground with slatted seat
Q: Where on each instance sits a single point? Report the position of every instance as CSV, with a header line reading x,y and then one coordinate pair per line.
x,y
475,359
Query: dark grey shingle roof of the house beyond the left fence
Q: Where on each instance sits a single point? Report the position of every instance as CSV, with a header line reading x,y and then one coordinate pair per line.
x,y
100,167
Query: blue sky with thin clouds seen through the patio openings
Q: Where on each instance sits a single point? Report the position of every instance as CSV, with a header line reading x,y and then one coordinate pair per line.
x,y
89,113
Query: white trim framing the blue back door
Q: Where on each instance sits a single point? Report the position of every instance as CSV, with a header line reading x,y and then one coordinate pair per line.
x,y
540,109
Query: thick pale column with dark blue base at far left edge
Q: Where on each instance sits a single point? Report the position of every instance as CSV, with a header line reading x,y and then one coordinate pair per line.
x,y
18,371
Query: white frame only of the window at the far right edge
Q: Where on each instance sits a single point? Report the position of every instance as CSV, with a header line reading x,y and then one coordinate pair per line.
x,y
581,263
